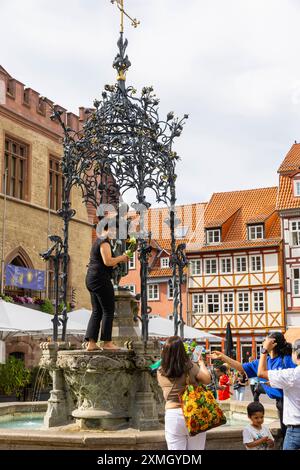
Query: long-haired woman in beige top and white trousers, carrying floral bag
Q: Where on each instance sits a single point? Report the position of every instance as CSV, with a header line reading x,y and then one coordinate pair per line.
x,y
172,378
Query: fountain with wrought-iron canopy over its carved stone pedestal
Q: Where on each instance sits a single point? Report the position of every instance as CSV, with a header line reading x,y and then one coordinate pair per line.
x,y
123,145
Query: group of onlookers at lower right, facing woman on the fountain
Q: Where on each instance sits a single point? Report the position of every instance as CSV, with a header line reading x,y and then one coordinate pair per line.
x,y
276,373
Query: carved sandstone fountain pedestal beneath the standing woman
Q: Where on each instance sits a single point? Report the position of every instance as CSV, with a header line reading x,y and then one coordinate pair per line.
x,y
105,390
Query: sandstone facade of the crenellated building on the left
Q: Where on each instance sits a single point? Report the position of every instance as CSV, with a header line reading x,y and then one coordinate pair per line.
x,y
29,221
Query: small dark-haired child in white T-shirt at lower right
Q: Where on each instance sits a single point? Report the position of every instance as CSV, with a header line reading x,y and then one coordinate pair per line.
x,y
255,435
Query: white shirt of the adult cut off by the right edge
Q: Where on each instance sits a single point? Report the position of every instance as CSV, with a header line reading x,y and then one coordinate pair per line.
x,y
289,381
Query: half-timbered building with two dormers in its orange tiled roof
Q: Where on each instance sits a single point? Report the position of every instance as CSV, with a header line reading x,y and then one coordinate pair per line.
x,y
236,276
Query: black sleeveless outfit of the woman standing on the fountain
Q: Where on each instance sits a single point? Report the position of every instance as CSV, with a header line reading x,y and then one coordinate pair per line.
x,y
98,282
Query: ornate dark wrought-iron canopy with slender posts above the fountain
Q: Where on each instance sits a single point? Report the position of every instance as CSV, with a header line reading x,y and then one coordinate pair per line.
x,y
123,145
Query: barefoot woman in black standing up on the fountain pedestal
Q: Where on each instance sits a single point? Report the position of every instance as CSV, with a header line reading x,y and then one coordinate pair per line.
x,y
99,284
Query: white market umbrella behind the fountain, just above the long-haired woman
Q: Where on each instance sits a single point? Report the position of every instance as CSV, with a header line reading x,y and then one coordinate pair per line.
x,y
162,328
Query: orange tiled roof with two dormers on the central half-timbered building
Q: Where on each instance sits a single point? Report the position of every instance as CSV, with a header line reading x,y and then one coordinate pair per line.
x,y
243,207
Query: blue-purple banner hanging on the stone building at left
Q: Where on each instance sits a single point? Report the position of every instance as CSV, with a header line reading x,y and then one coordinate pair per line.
x,y
18,276
